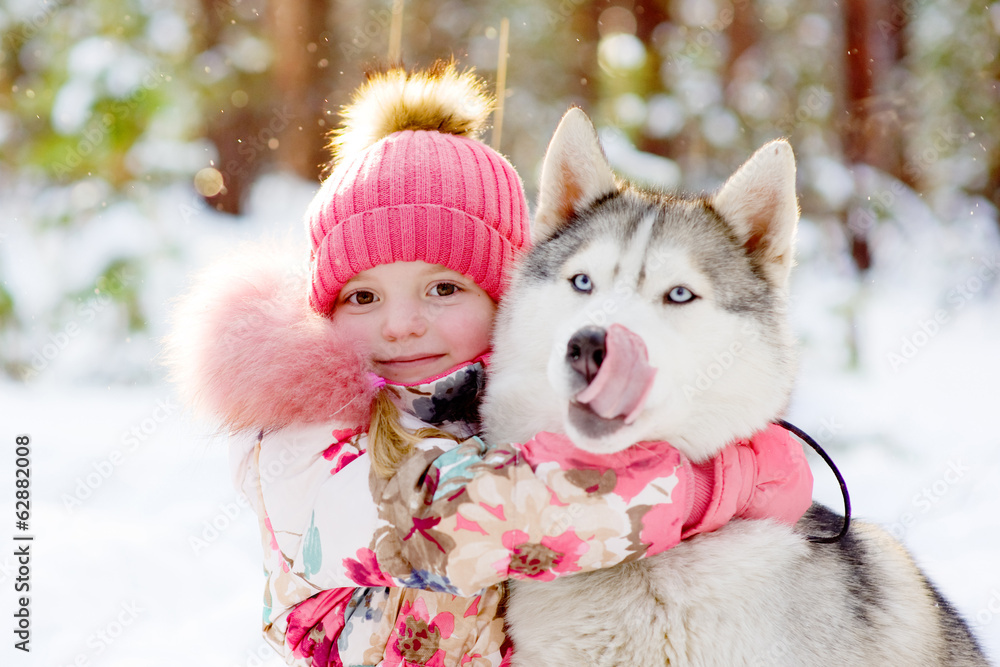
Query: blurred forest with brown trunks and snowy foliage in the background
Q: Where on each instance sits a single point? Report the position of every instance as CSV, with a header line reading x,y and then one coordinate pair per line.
x,y
127,126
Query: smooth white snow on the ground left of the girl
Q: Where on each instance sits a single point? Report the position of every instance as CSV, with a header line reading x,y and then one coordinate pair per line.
x,y
142,554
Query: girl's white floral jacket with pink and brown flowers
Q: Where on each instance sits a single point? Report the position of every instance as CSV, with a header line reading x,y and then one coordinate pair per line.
x,y
407,571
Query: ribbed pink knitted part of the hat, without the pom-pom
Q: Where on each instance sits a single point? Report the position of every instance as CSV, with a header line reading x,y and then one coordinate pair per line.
x,y
418,195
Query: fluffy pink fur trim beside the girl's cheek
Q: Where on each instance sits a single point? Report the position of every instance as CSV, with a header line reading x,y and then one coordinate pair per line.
x,y
247,350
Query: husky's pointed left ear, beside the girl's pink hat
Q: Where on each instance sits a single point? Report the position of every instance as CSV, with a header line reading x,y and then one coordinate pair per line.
x,y
575,173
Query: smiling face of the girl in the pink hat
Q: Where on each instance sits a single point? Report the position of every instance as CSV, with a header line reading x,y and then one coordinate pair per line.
x,y
420,319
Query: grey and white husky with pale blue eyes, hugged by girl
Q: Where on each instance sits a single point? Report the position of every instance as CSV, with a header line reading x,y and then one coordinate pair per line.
x,y
704,283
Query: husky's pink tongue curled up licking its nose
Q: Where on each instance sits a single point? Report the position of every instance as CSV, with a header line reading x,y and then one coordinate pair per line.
x,y
624,380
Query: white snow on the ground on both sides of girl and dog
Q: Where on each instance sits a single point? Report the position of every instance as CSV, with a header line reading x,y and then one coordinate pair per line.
x,y
143,554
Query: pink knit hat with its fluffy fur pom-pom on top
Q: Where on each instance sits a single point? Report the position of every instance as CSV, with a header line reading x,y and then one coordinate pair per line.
x,y
416,194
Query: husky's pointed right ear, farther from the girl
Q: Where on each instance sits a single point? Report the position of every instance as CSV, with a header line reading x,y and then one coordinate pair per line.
x,y
759,202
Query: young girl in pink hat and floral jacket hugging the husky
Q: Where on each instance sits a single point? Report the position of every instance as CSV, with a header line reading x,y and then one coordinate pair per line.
x,y
387,527
